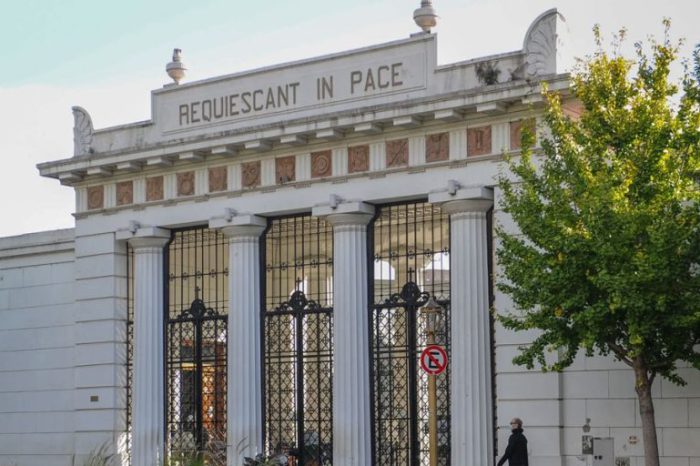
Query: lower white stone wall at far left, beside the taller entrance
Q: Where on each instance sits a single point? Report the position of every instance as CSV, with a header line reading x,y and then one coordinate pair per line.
x,y
37,335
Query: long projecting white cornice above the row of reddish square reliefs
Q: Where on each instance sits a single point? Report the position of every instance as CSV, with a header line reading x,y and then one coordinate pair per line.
x,y
256,140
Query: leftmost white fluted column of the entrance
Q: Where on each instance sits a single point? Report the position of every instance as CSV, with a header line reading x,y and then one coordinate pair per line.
x,y
148,389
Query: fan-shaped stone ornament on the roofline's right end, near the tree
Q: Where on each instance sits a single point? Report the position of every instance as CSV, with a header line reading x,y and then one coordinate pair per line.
x,y
543,43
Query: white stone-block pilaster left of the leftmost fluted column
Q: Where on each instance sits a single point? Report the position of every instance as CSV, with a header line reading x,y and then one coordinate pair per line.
x,y
99,355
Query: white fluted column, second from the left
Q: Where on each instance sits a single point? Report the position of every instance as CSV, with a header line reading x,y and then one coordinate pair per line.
x,y
244,410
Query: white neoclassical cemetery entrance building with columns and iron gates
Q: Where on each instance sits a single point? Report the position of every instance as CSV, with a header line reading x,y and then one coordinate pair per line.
x,y
249,269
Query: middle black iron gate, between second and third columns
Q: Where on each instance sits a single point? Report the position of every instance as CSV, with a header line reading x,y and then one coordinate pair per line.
x,y
298,338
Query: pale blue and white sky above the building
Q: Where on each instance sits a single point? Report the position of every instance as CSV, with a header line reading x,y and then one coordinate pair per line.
x,y
107,56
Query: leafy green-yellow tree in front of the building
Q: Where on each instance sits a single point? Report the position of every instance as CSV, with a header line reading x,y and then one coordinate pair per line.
x,y
607,259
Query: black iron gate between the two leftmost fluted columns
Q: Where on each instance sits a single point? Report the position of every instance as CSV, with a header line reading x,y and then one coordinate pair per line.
x,y
196,343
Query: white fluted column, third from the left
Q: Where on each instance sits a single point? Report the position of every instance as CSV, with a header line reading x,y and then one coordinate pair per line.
x,y
352,440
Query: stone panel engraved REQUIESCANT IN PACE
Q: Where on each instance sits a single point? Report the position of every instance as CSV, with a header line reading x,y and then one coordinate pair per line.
x,y
250,96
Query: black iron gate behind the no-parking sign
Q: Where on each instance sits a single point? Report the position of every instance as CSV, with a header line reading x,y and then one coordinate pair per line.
x,y
411,263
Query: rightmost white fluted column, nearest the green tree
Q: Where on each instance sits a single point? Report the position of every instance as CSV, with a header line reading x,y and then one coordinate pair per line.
x,y
470,366
